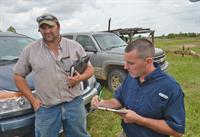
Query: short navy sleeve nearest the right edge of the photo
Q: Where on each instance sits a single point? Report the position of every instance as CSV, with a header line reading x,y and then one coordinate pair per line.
x,y
175,113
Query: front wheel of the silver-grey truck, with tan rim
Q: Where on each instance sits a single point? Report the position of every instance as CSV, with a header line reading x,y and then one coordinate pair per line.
x,y
115,78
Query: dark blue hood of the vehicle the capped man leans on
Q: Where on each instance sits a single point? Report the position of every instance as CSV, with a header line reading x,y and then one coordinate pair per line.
x,y
6,78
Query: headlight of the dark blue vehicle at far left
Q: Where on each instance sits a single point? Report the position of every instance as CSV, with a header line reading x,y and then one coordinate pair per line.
x,y
13,103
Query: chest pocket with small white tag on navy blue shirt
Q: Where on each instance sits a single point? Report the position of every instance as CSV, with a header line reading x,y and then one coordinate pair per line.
x,y
154,105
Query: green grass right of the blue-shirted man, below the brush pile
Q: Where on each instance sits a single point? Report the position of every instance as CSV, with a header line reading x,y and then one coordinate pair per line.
x,y
186,71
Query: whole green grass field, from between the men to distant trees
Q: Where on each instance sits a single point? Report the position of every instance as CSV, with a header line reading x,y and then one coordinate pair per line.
x,y
186,70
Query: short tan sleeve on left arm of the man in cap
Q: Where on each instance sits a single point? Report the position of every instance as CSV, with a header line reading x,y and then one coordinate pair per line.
x,y
23,67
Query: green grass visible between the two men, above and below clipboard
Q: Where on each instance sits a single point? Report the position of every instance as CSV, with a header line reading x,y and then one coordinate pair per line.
x,y
103,124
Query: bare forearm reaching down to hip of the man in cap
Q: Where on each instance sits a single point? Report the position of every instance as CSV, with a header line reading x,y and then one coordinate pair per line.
x,y
23,87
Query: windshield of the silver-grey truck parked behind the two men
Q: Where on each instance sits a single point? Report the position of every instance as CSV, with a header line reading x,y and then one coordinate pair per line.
x,y
109,41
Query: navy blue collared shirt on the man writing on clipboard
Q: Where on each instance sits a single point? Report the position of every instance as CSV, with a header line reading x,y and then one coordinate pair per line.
x,y
158,97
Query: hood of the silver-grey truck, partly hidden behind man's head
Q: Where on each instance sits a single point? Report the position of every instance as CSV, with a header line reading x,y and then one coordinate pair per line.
x,y
120,50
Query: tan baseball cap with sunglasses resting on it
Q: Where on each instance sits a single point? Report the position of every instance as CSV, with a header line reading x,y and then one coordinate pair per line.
x,y
48,19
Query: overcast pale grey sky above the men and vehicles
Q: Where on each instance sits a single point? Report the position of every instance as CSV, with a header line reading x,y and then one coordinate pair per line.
x,y
164,16
